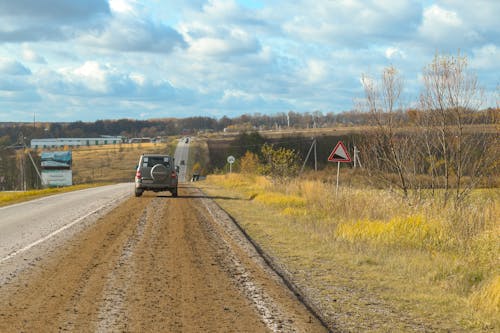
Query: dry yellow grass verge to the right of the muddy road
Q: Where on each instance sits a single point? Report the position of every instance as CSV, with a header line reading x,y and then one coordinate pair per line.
x,y
437,265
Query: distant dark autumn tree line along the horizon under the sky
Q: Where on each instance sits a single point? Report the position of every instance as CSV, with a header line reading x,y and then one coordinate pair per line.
x,y
11,133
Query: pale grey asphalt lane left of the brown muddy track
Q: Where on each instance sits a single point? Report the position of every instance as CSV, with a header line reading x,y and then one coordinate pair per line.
x,y
27,224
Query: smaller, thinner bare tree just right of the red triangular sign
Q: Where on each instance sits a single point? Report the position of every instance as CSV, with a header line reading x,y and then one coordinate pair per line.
x,y
390,148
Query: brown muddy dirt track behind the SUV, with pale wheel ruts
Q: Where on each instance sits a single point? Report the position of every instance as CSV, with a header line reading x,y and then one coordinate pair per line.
x,y
154,264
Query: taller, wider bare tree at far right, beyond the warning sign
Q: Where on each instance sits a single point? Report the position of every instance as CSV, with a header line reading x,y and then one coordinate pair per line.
x,y
455,149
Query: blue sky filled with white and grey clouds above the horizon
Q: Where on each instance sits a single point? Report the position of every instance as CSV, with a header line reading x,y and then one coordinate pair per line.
x,y
86,60
